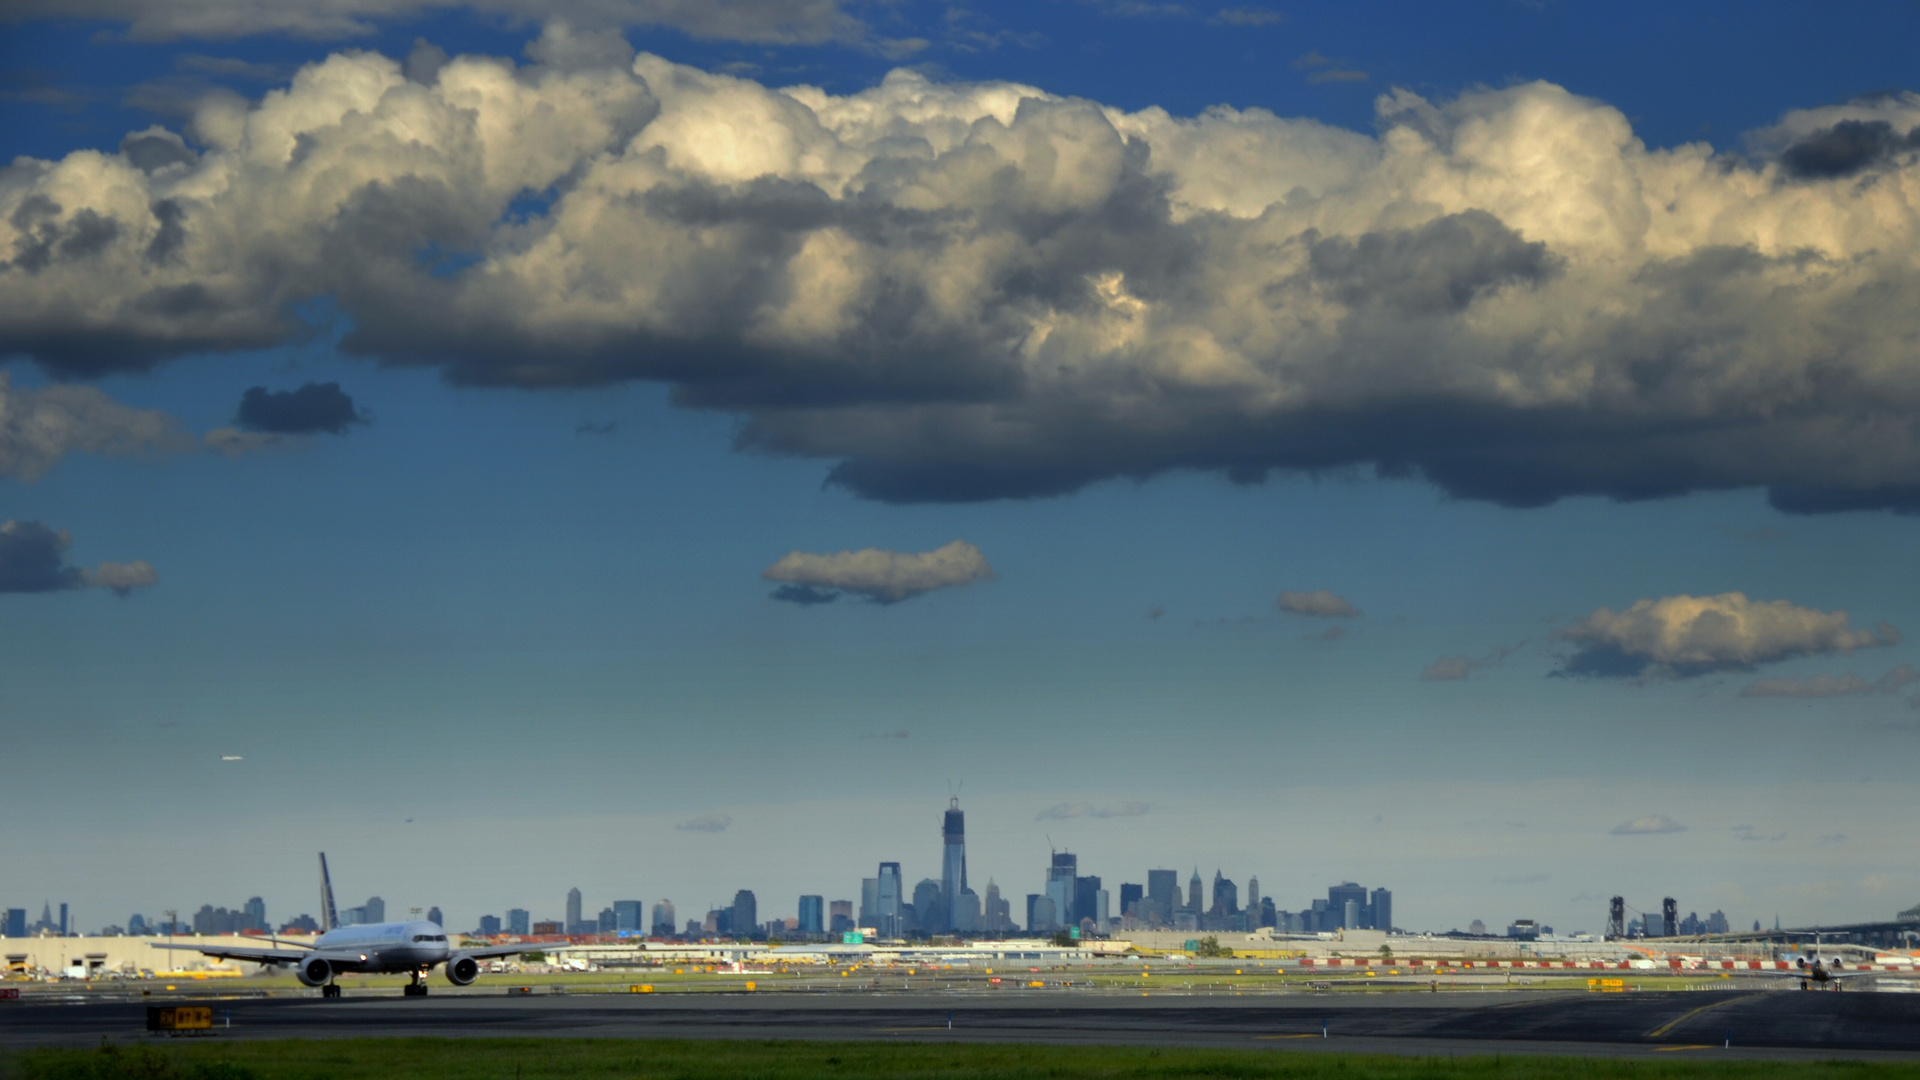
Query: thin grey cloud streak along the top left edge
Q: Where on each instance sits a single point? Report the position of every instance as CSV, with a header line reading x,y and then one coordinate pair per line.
x,y
769,22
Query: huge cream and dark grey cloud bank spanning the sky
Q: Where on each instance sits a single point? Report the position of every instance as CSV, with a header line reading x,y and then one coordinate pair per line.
x,y
967,291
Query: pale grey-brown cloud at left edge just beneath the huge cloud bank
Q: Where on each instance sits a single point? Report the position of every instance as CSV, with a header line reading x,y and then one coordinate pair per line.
x,y
39,428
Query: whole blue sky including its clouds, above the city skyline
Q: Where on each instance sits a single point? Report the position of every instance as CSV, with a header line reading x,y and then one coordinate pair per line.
x,y
512,612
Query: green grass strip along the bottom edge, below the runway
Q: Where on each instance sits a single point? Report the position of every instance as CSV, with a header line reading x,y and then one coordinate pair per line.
x,y
698,1060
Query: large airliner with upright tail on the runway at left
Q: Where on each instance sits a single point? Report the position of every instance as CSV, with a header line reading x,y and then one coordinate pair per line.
x,y
373,948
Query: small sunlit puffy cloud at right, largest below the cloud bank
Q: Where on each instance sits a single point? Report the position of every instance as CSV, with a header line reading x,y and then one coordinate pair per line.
x,y
1698,635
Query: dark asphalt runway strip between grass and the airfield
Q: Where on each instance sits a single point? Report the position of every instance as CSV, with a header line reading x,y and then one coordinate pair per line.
x,y
1733,1023
